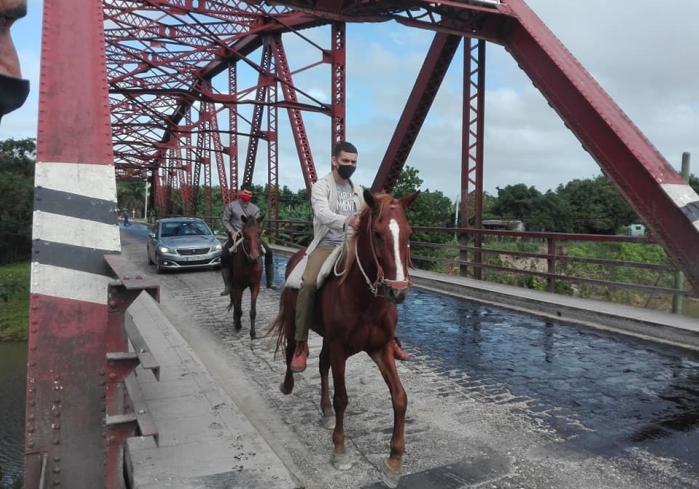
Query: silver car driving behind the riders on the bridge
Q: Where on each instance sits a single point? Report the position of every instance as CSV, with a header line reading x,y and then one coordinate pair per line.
x,y
182,242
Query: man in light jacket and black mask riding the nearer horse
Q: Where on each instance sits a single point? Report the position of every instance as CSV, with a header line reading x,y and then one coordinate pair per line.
x,y
336,202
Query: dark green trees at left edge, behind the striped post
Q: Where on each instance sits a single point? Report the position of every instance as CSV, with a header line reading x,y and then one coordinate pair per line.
x,y
17,160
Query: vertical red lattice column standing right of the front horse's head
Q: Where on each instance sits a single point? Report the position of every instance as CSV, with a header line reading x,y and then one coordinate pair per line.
x,y
472,146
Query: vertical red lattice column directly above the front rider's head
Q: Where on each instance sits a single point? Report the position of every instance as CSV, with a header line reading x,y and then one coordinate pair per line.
x,y
338,82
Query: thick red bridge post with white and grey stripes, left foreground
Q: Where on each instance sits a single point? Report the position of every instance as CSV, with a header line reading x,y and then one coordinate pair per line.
x,y
74,226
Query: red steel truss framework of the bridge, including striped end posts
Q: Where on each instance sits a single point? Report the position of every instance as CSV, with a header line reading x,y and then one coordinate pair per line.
x,y
169,90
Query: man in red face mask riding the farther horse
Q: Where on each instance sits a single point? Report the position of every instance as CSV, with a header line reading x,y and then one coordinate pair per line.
x,y
233,222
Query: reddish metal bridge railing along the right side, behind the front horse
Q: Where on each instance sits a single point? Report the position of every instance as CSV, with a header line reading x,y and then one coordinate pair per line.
x,y
609,267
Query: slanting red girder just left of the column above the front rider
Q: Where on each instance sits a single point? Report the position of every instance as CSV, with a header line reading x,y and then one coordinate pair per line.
x,y
298,129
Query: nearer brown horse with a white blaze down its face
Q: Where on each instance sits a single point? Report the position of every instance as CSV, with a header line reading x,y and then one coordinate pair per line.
x,y
356,311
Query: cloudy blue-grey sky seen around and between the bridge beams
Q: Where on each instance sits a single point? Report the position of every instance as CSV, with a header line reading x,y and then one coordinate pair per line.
x,y
644,53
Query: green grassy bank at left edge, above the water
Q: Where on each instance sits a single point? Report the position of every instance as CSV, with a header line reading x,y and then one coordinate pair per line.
x,y
14,301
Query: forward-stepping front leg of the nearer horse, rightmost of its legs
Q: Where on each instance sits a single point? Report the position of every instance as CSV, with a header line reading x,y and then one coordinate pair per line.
x,y
387,365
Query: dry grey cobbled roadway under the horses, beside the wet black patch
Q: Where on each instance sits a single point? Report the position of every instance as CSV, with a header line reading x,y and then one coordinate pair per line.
x,y
461,431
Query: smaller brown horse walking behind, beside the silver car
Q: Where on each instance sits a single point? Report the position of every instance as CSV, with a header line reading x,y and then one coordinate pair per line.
x,y
246,270
